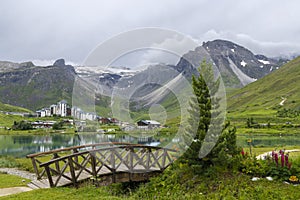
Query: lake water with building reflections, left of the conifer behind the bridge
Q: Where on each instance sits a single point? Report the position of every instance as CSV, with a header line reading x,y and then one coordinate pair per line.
x,y
22,145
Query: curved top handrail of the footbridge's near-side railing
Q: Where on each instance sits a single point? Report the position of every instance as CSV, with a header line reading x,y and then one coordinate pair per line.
x,y
102,149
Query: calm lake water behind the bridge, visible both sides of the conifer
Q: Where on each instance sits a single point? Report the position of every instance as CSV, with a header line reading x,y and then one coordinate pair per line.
x,y
22,145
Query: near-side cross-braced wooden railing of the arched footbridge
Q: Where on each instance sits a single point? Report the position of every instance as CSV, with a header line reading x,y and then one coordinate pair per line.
x,y
110,160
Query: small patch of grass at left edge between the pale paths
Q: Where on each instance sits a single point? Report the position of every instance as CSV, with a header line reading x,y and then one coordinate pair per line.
x,y
8,180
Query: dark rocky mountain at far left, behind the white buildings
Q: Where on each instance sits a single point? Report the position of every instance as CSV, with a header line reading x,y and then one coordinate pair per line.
x,y
32,87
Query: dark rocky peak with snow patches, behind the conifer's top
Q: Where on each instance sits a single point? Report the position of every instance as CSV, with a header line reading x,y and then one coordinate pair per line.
x,y
238,66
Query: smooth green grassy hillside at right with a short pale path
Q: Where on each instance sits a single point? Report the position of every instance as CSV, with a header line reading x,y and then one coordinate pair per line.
x,y
273,92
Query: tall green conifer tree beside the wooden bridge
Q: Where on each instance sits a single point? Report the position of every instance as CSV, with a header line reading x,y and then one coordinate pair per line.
x,y
214,141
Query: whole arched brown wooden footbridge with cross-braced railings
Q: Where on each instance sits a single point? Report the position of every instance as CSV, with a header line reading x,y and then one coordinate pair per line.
x,y
103,162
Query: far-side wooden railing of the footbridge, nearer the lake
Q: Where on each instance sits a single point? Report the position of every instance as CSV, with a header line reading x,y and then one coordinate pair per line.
x,y
39,158
